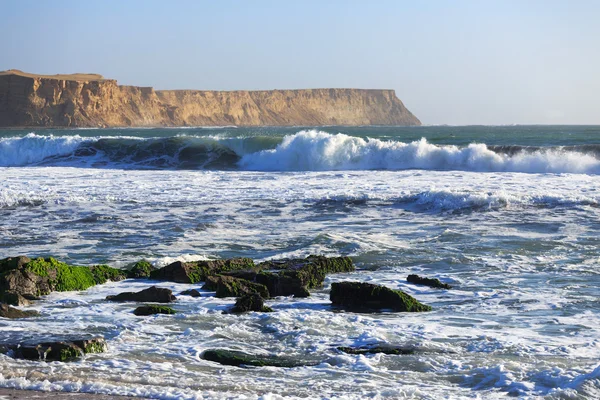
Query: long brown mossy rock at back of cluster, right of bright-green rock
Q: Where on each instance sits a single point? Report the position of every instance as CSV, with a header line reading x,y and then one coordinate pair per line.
x,y
198,271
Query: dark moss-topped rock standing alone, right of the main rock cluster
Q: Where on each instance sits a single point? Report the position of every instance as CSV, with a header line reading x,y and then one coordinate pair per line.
x,y
360,296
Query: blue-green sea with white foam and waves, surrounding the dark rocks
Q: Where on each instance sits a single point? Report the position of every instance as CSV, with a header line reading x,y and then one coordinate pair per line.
x,y
508,215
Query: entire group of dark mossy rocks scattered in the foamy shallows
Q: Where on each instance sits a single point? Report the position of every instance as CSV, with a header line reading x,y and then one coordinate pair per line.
x,y
24,280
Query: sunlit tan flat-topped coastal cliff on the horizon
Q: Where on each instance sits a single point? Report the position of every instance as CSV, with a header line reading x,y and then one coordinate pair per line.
x,y
89,100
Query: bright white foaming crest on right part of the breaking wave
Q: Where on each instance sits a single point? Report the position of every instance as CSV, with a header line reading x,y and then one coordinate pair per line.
x,y
320,151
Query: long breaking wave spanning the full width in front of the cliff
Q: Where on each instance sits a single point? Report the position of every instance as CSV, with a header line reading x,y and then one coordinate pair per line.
x,y
309,150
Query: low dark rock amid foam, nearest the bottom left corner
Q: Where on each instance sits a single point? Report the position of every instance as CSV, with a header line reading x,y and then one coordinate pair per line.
x,y
58,350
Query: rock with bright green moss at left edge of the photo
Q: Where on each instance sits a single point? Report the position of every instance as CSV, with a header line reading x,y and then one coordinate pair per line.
x,y
42,276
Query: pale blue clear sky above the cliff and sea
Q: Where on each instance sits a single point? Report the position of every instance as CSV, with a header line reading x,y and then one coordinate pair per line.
x,y
451,62
